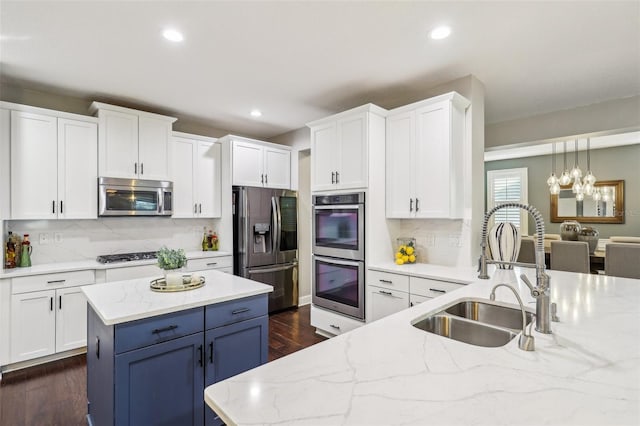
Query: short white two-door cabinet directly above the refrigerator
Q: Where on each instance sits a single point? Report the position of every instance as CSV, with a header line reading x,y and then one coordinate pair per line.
x,y
257,163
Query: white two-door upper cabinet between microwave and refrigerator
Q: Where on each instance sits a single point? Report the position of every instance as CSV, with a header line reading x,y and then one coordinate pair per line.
x,y
195,172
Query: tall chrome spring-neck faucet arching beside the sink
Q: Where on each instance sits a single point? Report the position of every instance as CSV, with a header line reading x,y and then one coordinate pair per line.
x,y
542,290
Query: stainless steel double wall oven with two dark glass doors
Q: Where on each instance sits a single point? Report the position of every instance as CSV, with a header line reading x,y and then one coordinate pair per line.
x,y
339,253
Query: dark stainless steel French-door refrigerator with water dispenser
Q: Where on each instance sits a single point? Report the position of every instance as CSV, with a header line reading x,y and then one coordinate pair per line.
x,y
265,241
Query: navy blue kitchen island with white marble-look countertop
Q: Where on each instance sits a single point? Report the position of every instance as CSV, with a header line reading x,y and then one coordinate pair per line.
x,y
150,354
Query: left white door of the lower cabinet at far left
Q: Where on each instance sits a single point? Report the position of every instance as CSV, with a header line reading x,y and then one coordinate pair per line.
x,y
33,325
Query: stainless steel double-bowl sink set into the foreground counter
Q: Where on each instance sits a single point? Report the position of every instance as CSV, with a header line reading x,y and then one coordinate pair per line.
x,y
477,322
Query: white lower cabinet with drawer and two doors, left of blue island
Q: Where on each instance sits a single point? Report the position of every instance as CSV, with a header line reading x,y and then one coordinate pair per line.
x,y
48,314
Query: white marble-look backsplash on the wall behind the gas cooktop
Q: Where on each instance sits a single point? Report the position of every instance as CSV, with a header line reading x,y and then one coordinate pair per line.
x,y
86,239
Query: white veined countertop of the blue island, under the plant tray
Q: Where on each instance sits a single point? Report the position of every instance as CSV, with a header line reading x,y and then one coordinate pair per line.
x,y
122,301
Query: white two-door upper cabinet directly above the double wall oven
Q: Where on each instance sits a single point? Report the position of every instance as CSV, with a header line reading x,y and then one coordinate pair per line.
x,y
340,149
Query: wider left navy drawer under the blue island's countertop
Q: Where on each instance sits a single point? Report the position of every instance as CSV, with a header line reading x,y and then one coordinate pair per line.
x,y
149,331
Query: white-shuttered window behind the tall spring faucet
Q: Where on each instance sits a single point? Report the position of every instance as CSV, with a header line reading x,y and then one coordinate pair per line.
x,y
508,186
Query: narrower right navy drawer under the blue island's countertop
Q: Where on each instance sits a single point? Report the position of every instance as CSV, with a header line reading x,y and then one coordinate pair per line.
x,y
235,310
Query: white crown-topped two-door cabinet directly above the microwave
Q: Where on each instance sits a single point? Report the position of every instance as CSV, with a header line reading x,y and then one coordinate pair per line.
x,y
132,144
